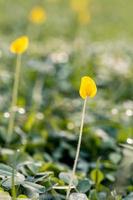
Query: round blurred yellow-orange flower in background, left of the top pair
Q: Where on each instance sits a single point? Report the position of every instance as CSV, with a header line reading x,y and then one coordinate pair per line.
x,y
38,15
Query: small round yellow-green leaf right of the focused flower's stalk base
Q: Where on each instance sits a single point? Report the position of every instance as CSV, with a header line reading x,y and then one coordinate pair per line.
x,y
97,176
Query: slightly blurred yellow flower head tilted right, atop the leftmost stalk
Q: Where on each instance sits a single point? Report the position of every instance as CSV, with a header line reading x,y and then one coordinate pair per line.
x,y
20,45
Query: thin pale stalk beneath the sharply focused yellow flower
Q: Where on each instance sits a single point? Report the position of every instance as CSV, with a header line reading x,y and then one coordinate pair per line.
x,y
78,150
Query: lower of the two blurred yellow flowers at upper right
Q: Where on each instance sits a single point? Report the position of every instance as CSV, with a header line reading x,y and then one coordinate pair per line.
x,y
84,17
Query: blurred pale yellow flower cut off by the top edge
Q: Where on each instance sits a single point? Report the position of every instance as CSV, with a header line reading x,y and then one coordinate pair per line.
x,y
79,5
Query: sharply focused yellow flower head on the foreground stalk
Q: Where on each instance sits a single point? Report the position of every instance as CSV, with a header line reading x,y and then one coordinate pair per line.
x,y
87,87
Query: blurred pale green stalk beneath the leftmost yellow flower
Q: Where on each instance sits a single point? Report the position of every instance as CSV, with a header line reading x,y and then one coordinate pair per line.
x,y
14,98
